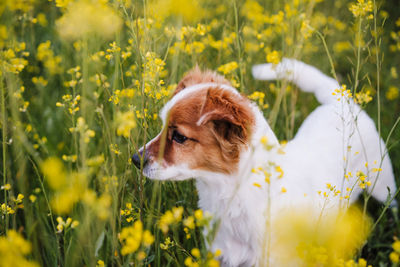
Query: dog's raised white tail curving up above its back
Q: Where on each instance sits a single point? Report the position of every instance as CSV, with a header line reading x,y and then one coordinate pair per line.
x,y
306,77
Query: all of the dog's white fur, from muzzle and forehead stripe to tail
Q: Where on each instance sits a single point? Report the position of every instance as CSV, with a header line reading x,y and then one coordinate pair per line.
x,y
322,151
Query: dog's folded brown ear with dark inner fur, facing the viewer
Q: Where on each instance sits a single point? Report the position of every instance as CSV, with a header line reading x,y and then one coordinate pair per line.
x,y
230,118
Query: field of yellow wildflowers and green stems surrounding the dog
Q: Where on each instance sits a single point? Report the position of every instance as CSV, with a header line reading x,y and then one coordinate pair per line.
x,y
81,85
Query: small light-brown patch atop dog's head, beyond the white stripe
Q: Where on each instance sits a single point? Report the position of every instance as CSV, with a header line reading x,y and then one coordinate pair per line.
x,y
197,76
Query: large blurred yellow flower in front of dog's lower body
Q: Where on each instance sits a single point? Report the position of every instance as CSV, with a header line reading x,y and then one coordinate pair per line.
x,y
304,238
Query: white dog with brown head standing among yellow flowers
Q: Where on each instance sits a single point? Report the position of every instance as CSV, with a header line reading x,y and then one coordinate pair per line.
x,y
217,136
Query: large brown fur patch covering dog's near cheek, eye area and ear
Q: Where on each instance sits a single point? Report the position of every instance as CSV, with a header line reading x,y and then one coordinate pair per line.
x,y
217,123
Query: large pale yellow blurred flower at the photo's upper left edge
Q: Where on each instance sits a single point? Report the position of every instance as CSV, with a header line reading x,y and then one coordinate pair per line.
x,y
85,17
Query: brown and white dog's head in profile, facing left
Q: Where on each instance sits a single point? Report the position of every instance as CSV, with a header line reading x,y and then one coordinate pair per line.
x,y
207,124
